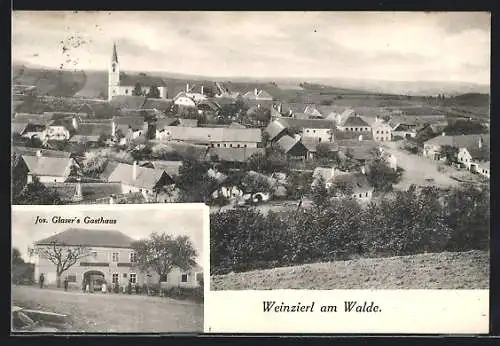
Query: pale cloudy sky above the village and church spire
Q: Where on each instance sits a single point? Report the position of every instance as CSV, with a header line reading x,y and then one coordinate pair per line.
x,y
392,46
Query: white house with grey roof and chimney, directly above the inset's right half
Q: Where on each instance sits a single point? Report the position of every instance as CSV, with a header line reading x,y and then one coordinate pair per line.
x,y
134,178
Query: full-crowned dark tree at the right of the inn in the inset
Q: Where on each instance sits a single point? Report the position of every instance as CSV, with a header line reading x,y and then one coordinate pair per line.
x,y
162,253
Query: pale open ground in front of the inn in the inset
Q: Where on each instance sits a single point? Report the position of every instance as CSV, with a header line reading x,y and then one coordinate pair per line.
x,y
113,313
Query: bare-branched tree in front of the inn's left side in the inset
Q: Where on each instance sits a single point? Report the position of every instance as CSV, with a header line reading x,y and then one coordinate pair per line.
x,y
62,256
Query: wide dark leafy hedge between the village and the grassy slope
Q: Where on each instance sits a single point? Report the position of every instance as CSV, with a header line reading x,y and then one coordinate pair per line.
x,y
411,222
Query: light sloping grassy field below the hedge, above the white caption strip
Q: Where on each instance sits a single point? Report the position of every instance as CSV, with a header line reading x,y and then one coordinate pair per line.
x,y
461,270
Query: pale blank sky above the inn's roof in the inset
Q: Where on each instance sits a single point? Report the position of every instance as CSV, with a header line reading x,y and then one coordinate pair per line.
x,y
136,222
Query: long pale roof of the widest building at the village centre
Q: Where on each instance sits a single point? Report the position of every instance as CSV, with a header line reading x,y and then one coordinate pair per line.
x,y
212,134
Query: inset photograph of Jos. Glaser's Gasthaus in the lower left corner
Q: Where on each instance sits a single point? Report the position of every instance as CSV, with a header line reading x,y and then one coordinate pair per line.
x,y
118,269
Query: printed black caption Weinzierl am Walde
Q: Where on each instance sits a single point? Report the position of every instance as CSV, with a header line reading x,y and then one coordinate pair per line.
x,y
349,306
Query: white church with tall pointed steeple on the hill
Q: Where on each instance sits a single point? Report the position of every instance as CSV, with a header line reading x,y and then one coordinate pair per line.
x,y
124,84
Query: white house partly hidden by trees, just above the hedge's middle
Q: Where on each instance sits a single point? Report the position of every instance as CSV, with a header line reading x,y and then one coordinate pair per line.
x,y
354,184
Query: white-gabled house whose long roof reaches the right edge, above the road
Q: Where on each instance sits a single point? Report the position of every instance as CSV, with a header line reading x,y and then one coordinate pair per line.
x,y
432,147
